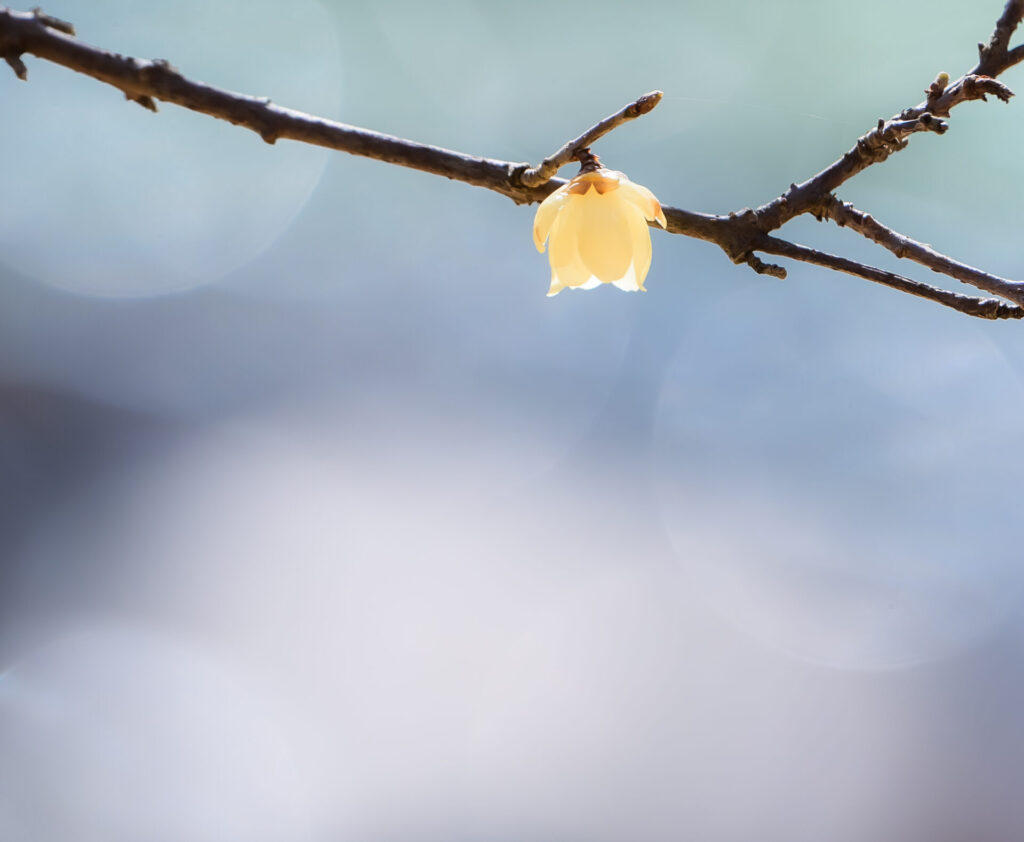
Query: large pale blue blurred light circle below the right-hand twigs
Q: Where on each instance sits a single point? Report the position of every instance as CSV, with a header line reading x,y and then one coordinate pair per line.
x,y
834,487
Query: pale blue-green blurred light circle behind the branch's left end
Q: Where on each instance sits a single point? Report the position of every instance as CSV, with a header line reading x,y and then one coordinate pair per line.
x,y
111,200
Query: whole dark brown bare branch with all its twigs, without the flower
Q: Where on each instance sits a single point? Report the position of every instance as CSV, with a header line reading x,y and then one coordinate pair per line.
x,y
739,235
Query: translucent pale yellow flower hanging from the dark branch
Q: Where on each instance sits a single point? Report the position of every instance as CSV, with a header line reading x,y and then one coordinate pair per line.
x,y
598,225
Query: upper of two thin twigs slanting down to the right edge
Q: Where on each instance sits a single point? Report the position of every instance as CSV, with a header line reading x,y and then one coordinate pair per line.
x,y
843,214
